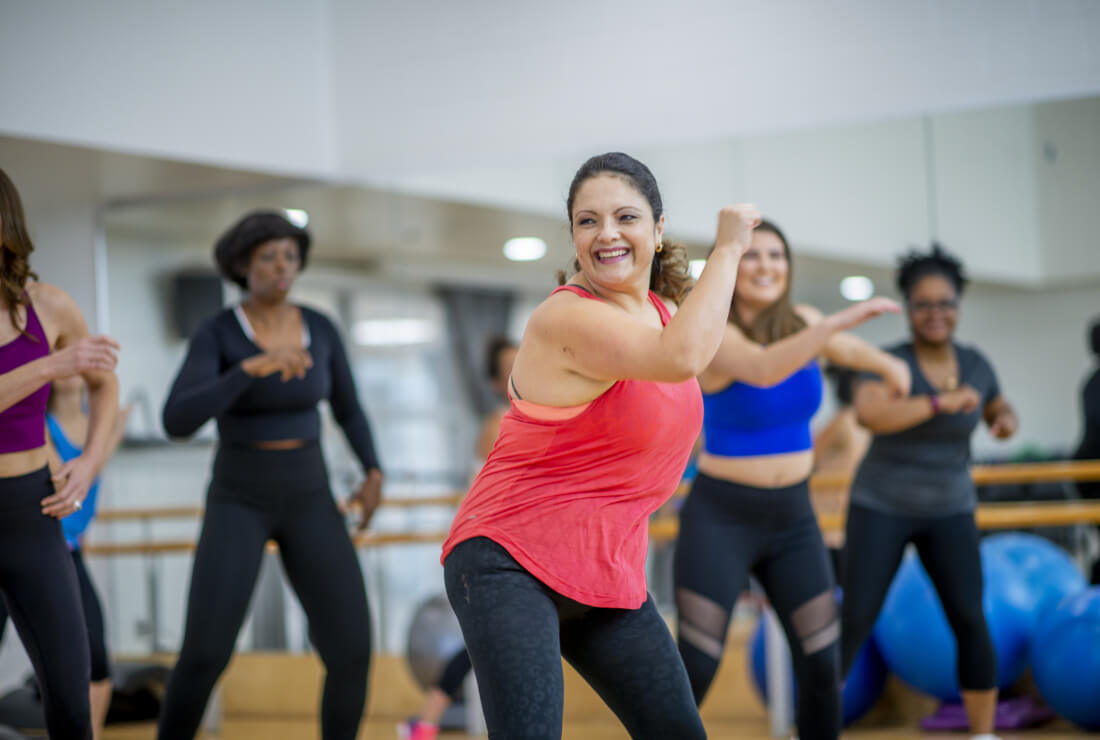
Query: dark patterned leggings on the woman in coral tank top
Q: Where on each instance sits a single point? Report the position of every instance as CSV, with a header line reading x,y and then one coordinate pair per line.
x,y
518,631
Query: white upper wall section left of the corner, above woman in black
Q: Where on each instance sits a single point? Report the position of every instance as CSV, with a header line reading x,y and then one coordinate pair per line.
x,y
243,84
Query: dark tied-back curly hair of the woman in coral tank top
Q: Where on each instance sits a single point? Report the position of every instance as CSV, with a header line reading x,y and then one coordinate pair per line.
x,y
670,273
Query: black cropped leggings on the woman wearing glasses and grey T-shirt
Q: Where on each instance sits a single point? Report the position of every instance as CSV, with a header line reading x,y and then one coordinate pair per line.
x,y
949,548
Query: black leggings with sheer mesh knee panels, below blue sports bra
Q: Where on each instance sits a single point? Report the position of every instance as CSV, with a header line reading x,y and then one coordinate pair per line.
x,y
729,531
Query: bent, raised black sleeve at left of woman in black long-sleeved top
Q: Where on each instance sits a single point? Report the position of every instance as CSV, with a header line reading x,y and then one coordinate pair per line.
x,y
202,391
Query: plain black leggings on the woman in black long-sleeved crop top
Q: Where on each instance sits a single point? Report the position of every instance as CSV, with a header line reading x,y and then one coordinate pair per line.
x,y
284,495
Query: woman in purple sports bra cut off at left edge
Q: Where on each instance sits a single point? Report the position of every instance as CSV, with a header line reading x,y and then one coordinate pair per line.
x,y
43,338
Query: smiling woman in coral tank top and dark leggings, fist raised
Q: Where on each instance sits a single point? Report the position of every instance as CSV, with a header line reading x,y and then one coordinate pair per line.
x,y
546,558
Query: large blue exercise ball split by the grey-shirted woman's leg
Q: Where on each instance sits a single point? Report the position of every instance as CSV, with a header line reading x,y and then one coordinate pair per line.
x,y
918,644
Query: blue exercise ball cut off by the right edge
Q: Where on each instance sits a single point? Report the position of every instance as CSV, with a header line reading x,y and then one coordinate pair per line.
x,y
1066,658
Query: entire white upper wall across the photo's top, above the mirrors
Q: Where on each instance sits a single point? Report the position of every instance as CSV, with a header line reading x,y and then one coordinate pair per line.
x,y
387,90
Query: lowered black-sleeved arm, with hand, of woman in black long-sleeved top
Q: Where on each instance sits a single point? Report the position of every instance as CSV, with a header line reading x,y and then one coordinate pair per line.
x,y
349,414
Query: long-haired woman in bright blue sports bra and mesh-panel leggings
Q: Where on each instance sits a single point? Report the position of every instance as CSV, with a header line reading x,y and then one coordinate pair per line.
x,y
750,510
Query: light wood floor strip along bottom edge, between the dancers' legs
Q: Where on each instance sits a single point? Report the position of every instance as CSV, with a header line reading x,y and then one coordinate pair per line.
x,y
283,730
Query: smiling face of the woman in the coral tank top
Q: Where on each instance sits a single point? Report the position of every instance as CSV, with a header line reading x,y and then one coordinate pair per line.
x,y
614,234
